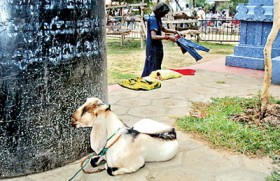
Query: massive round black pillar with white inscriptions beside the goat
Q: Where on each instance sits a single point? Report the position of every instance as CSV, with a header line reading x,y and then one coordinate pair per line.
x,y
52,57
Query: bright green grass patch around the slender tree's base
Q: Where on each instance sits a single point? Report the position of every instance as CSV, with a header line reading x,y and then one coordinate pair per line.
x,y
218,129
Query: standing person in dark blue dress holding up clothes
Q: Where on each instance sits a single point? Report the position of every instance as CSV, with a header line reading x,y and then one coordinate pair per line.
x,y
154,47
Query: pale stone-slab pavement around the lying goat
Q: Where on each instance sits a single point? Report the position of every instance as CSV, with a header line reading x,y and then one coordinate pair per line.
x,y
196,161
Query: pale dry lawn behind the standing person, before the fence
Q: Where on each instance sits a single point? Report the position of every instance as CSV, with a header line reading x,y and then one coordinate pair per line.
x,y
127,61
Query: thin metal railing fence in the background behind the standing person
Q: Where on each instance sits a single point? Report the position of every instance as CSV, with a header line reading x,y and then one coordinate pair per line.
x,y
219,30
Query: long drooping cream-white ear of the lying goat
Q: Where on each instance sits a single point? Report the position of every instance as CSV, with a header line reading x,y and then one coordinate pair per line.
x,y
98,135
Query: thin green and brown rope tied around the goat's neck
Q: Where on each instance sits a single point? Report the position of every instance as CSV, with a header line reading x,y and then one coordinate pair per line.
x,y
102,153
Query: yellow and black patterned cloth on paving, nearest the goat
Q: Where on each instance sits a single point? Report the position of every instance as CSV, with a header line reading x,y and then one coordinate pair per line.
x,y
140,84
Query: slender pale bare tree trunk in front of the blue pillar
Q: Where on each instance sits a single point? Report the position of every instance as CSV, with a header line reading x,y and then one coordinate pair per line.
x,y
267,56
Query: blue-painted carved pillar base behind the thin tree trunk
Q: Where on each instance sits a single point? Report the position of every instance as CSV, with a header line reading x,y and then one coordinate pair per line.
x,y
256,22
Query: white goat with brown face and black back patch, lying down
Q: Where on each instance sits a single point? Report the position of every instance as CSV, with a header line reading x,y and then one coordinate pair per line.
x,y
125,149
